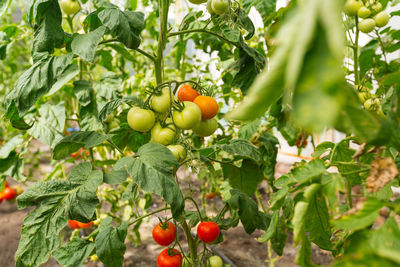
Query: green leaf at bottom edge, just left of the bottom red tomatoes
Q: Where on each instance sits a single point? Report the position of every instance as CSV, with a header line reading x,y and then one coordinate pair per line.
x,y
110,243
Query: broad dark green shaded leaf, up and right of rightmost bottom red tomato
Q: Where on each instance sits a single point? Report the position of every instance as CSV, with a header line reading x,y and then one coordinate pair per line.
x,y
246,178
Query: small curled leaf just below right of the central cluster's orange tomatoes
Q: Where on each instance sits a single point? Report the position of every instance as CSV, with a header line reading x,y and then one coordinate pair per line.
x,y
243,148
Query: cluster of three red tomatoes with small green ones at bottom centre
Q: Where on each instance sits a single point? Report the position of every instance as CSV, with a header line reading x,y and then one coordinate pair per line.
x,y
164,234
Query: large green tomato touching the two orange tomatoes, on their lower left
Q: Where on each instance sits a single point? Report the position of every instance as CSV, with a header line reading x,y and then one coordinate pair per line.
x,y
189,117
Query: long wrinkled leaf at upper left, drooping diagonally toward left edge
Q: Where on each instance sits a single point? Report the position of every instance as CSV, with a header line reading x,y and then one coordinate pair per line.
x,y
34,83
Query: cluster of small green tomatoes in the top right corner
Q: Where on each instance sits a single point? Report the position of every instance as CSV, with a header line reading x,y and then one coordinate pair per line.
x,y
371,13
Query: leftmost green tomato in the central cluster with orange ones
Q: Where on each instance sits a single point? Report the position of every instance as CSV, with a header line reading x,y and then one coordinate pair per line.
x,y
141,120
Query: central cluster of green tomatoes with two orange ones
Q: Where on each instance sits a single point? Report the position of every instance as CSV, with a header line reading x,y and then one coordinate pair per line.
x,y
192,111
